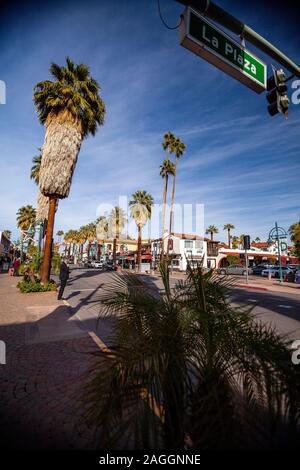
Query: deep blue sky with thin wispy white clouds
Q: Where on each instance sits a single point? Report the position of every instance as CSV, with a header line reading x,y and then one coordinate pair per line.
x,y
240,163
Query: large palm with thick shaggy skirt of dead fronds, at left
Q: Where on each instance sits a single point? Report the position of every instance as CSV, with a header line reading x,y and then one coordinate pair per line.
x,y
71,109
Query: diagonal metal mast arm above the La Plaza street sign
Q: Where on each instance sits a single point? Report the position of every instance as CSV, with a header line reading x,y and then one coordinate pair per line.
x,y
217,14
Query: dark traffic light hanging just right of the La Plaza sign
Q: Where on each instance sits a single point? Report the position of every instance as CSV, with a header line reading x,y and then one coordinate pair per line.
x,y
277,96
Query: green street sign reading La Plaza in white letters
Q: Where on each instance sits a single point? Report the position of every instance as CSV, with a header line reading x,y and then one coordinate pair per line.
x,y
212,44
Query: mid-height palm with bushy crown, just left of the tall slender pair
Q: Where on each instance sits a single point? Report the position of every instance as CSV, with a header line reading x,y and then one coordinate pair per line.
x,y
140,209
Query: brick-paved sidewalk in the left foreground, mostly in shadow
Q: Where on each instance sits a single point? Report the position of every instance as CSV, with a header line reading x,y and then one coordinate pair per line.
x,y
42,380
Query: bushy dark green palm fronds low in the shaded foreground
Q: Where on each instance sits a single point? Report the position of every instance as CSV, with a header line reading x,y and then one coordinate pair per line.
x,y
187,365
